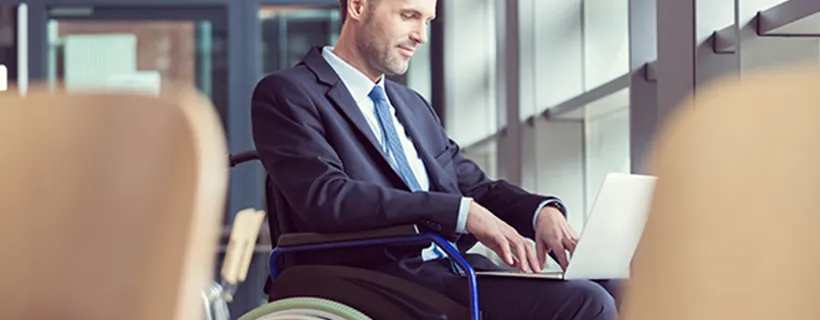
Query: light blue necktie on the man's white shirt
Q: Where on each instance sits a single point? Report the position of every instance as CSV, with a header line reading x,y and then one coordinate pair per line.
x,y
391,138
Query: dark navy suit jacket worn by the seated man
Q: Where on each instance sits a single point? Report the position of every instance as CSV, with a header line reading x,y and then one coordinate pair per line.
x,y
330,174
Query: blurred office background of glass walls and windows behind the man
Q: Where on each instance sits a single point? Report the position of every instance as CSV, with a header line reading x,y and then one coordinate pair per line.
x,y
550,95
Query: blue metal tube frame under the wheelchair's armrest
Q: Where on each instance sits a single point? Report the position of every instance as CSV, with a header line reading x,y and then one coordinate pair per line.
x,y
451,252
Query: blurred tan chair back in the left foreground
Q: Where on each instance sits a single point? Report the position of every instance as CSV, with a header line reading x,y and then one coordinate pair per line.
x,y
111,204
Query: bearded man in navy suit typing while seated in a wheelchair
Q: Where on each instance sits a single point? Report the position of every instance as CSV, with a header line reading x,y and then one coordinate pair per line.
x,y
350,150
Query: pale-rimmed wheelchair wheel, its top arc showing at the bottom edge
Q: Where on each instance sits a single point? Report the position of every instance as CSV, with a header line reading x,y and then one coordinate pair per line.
x,y
304,308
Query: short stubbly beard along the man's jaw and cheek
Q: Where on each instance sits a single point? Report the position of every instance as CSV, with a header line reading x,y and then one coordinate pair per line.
x,y
381,58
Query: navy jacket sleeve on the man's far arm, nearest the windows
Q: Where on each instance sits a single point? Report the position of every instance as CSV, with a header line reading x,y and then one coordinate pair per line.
x,y
510,203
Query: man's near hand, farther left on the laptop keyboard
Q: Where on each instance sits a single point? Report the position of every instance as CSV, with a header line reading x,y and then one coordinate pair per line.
x,y
500,237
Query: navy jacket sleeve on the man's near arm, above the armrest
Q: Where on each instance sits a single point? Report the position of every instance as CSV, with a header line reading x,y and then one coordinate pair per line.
x,y
290,138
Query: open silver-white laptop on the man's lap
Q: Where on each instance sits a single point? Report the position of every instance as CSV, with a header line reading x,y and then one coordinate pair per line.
x,y
610,237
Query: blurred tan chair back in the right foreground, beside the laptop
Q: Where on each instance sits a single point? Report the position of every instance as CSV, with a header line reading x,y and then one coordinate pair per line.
x,y
733,231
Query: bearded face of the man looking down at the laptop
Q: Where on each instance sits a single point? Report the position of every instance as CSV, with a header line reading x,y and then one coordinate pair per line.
x,y
391,32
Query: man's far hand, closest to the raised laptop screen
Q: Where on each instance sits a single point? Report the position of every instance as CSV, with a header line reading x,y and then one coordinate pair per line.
x,y
553,233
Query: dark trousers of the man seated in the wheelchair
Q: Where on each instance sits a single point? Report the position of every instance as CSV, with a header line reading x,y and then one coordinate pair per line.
x,y
506,298
